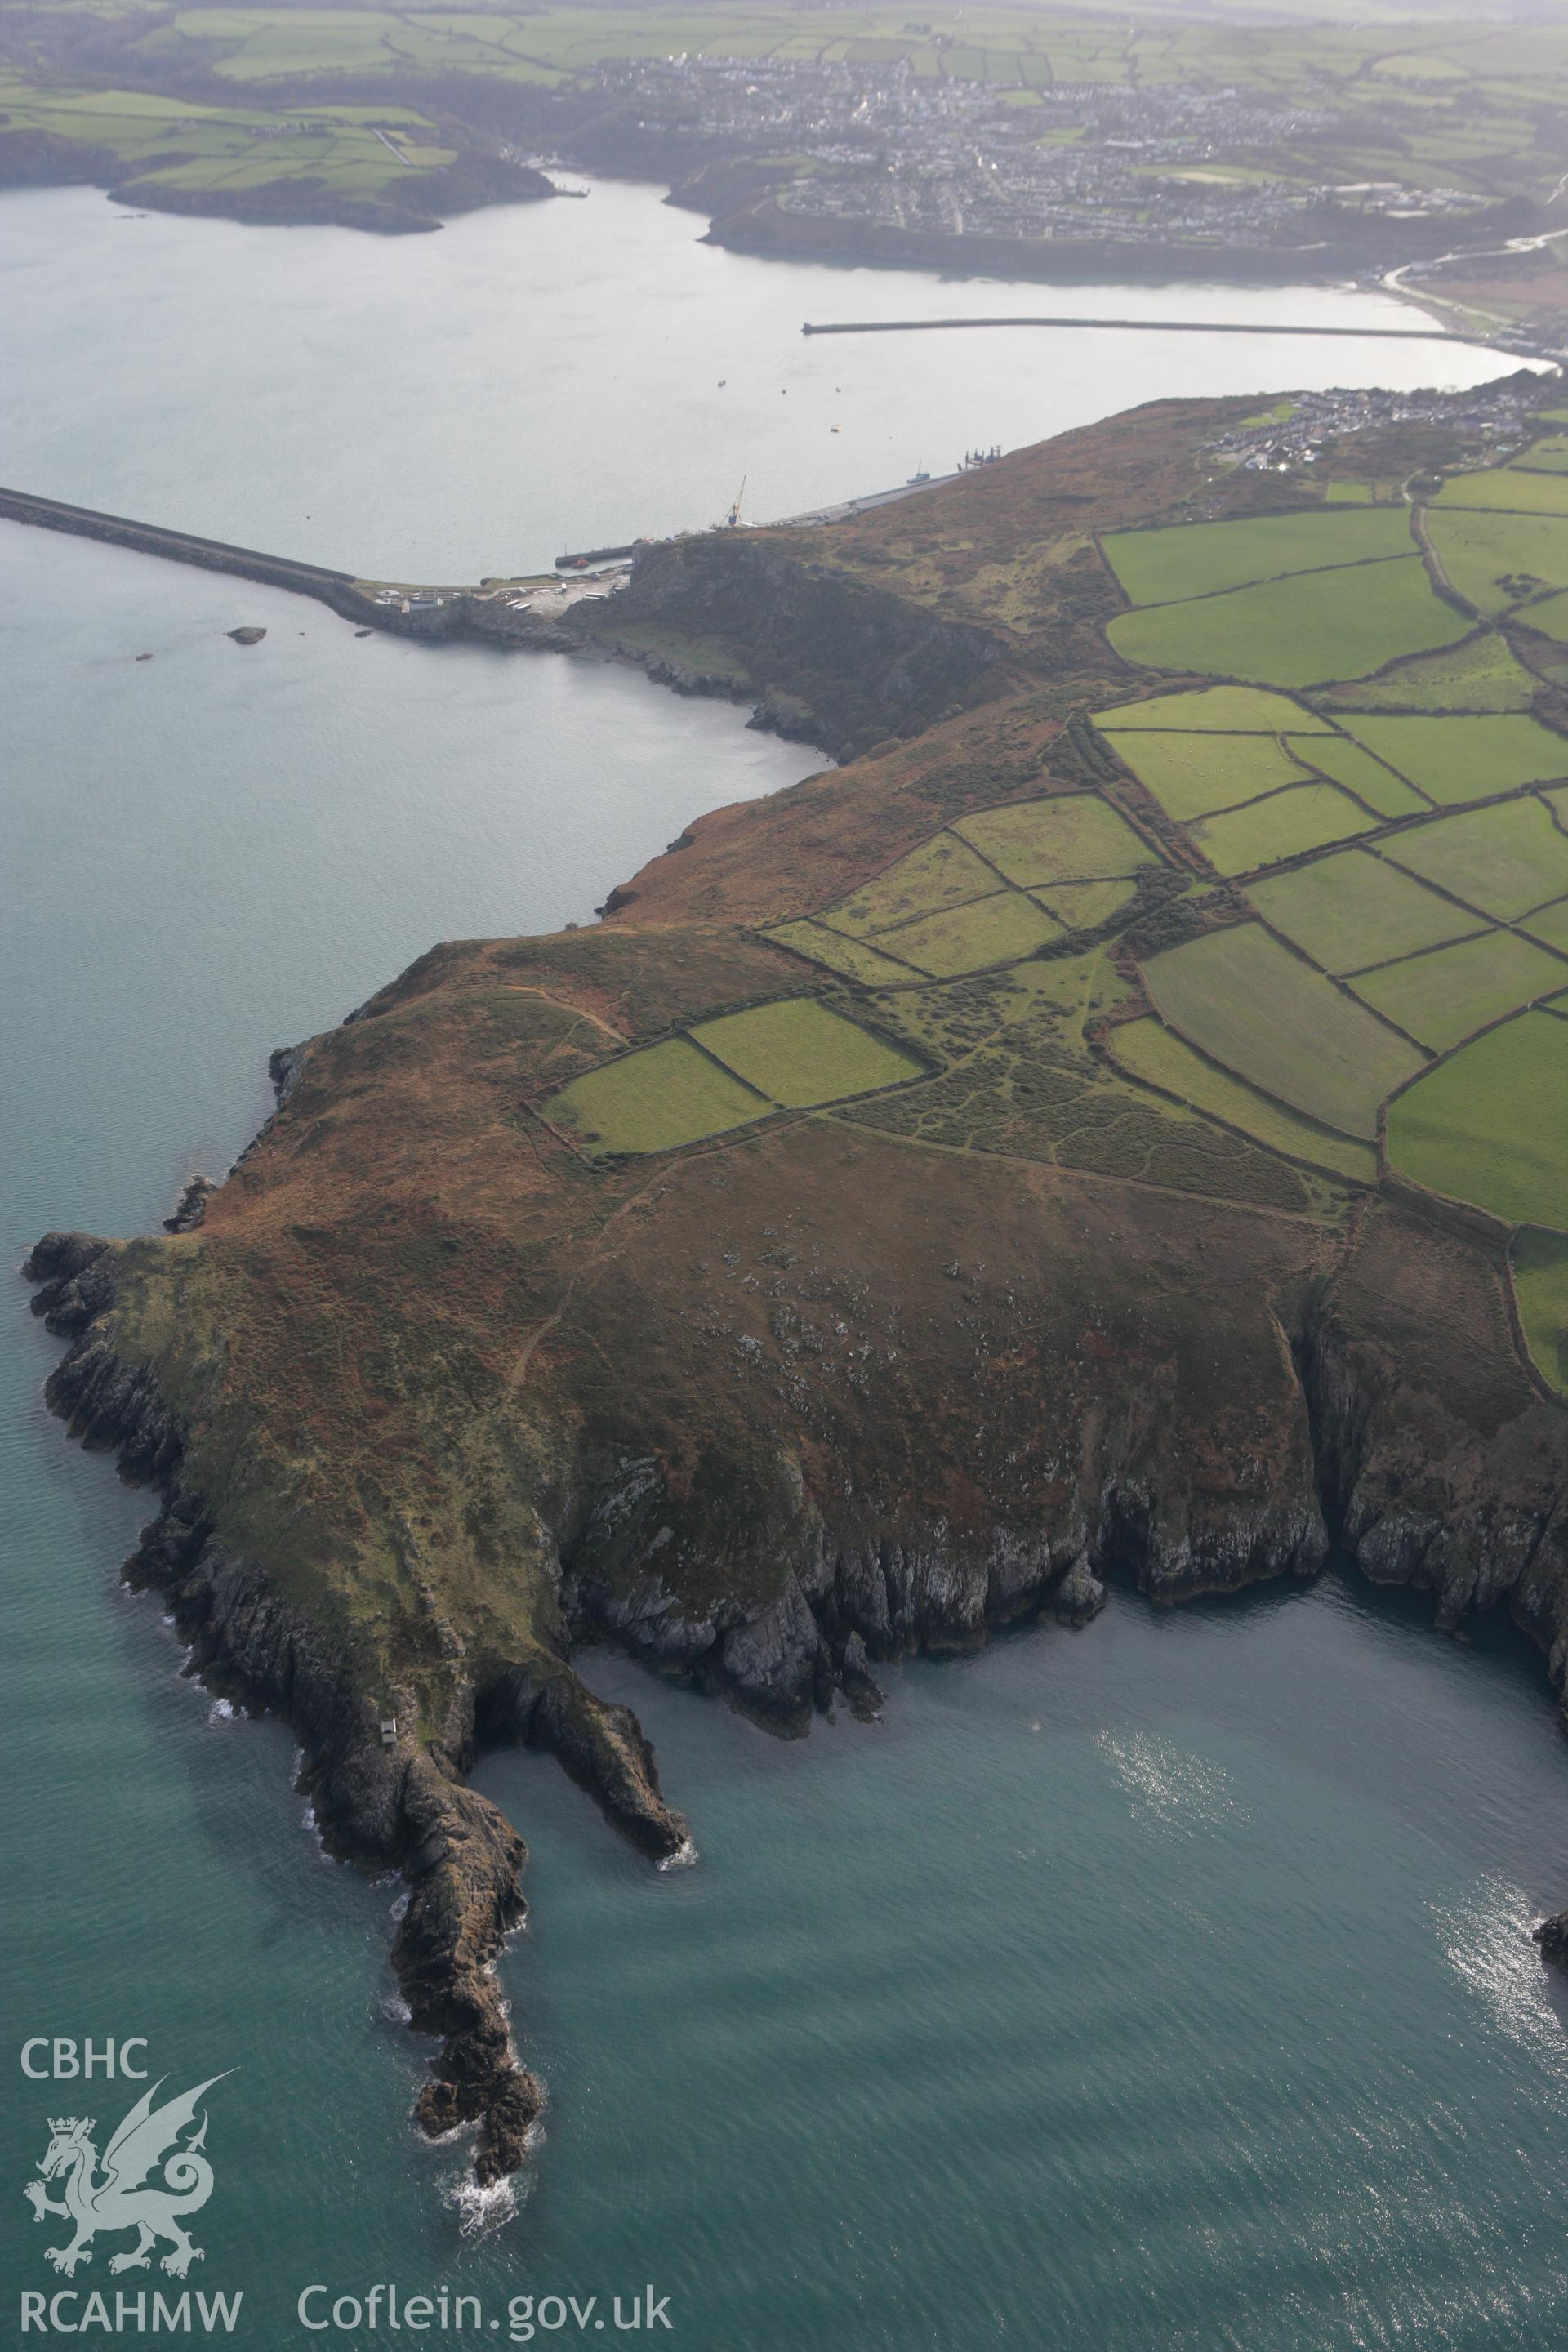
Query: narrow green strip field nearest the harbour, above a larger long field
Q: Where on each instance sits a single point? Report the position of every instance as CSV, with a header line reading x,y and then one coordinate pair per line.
x,y
1202,559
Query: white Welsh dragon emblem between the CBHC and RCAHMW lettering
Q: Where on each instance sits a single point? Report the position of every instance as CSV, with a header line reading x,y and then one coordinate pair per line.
x,y
123,2196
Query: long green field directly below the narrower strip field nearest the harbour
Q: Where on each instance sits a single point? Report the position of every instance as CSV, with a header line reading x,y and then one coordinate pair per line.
x,y
1296,632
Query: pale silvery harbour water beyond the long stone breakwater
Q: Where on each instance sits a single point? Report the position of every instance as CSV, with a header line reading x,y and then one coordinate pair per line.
x,y
554,377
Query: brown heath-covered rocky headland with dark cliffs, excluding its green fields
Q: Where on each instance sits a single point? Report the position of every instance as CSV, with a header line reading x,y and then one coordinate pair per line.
x,y
438,1391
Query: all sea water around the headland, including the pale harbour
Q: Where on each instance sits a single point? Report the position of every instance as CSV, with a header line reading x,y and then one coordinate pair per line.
x,y
1160,1986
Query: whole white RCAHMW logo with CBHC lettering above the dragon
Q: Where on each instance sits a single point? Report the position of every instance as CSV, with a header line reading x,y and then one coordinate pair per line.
x,y
152,2179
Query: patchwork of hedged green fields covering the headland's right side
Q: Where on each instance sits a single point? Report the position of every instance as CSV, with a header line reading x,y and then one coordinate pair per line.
x,y
1296,926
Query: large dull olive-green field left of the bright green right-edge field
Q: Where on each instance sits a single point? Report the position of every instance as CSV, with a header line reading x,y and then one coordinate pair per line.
x,y
1266,1015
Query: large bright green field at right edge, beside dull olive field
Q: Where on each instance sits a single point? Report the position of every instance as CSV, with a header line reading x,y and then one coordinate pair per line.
x,y
1487,1125
